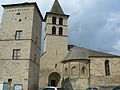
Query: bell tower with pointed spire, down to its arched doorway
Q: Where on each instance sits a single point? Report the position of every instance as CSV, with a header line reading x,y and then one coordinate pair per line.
x,y
55,46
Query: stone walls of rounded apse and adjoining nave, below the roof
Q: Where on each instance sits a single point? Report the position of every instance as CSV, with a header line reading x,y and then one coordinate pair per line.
x,y
94,75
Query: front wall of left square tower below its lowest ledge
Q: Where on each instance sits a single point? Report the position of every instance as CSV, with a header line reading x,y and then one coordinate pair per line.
x,y
17,70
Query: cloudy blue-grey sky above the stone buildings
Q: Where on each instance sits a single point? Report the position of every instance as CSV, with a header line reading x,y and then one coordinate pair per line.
x,y
93,24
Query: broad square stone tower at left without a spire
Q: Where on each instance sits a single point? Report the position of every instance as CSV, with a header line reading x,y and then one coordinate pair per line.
x,y
26,18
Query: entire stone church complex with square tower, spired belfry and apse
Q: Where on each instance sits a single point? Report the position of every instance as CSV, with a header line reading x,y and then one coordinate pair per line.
x,y
61,65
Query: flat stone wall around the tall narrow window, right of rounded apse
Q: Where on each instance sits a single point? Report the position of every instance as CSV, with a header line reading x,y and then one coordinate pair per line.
x,y
98,77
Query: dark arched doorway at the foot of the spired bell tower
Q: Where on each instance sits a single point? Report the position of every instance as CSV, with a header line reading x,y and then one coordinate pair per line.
x,y
54,79
